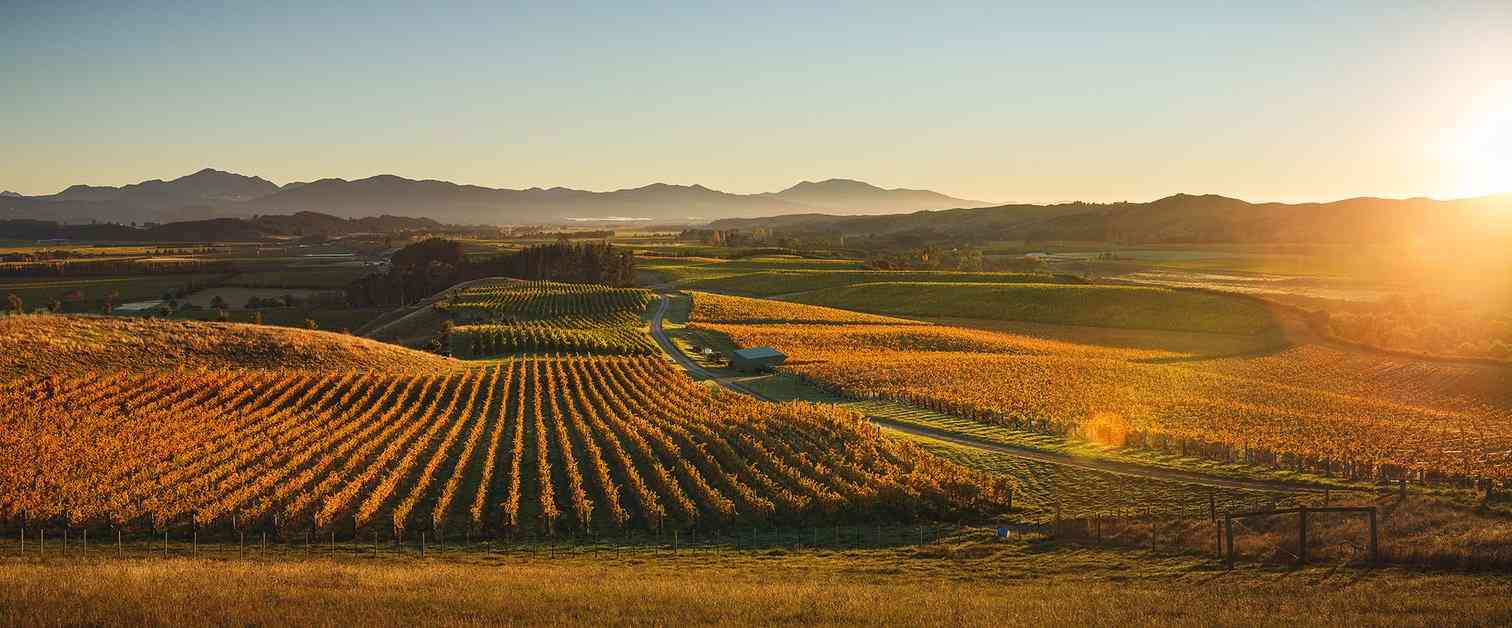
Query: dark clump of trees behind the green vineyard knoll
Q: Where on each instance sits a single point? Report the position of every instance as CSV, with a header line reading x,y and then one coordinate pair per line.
x,y
426,269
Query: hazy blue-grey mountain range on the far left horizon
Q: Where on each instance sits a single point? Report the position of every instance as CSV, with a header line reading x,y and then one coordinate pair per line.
x,y
217,194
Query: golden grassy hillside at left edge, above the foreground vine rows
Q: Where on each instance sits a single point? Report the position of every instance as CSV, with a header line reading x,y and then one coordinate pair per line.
x,y
49,344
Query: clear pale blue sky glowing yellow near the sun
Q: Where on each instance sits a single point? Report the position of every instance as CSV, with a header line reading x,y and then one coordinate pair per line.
x,y
996,102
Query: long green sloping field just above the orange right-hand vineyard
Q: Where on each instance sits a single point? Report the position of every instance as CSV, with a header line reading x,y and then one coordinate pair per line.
x,y
1068,305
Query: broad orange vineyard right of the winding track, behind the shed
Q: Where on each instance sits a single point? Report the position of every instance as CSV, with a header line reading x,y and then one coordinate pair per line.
x,y
1309,409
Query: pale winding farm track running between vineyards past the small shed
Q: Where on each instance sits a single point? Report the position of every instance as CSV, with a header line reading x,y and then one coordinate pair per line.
x,y
733,384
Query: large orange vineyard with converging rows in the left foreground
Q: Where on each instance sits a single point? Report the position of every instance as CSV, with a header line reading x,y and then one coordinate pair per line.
x,y
527,447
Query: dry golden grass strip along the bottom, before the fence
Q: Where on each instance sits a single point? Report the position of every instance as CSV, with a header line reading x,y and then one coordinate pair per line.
x,y
1012,583
